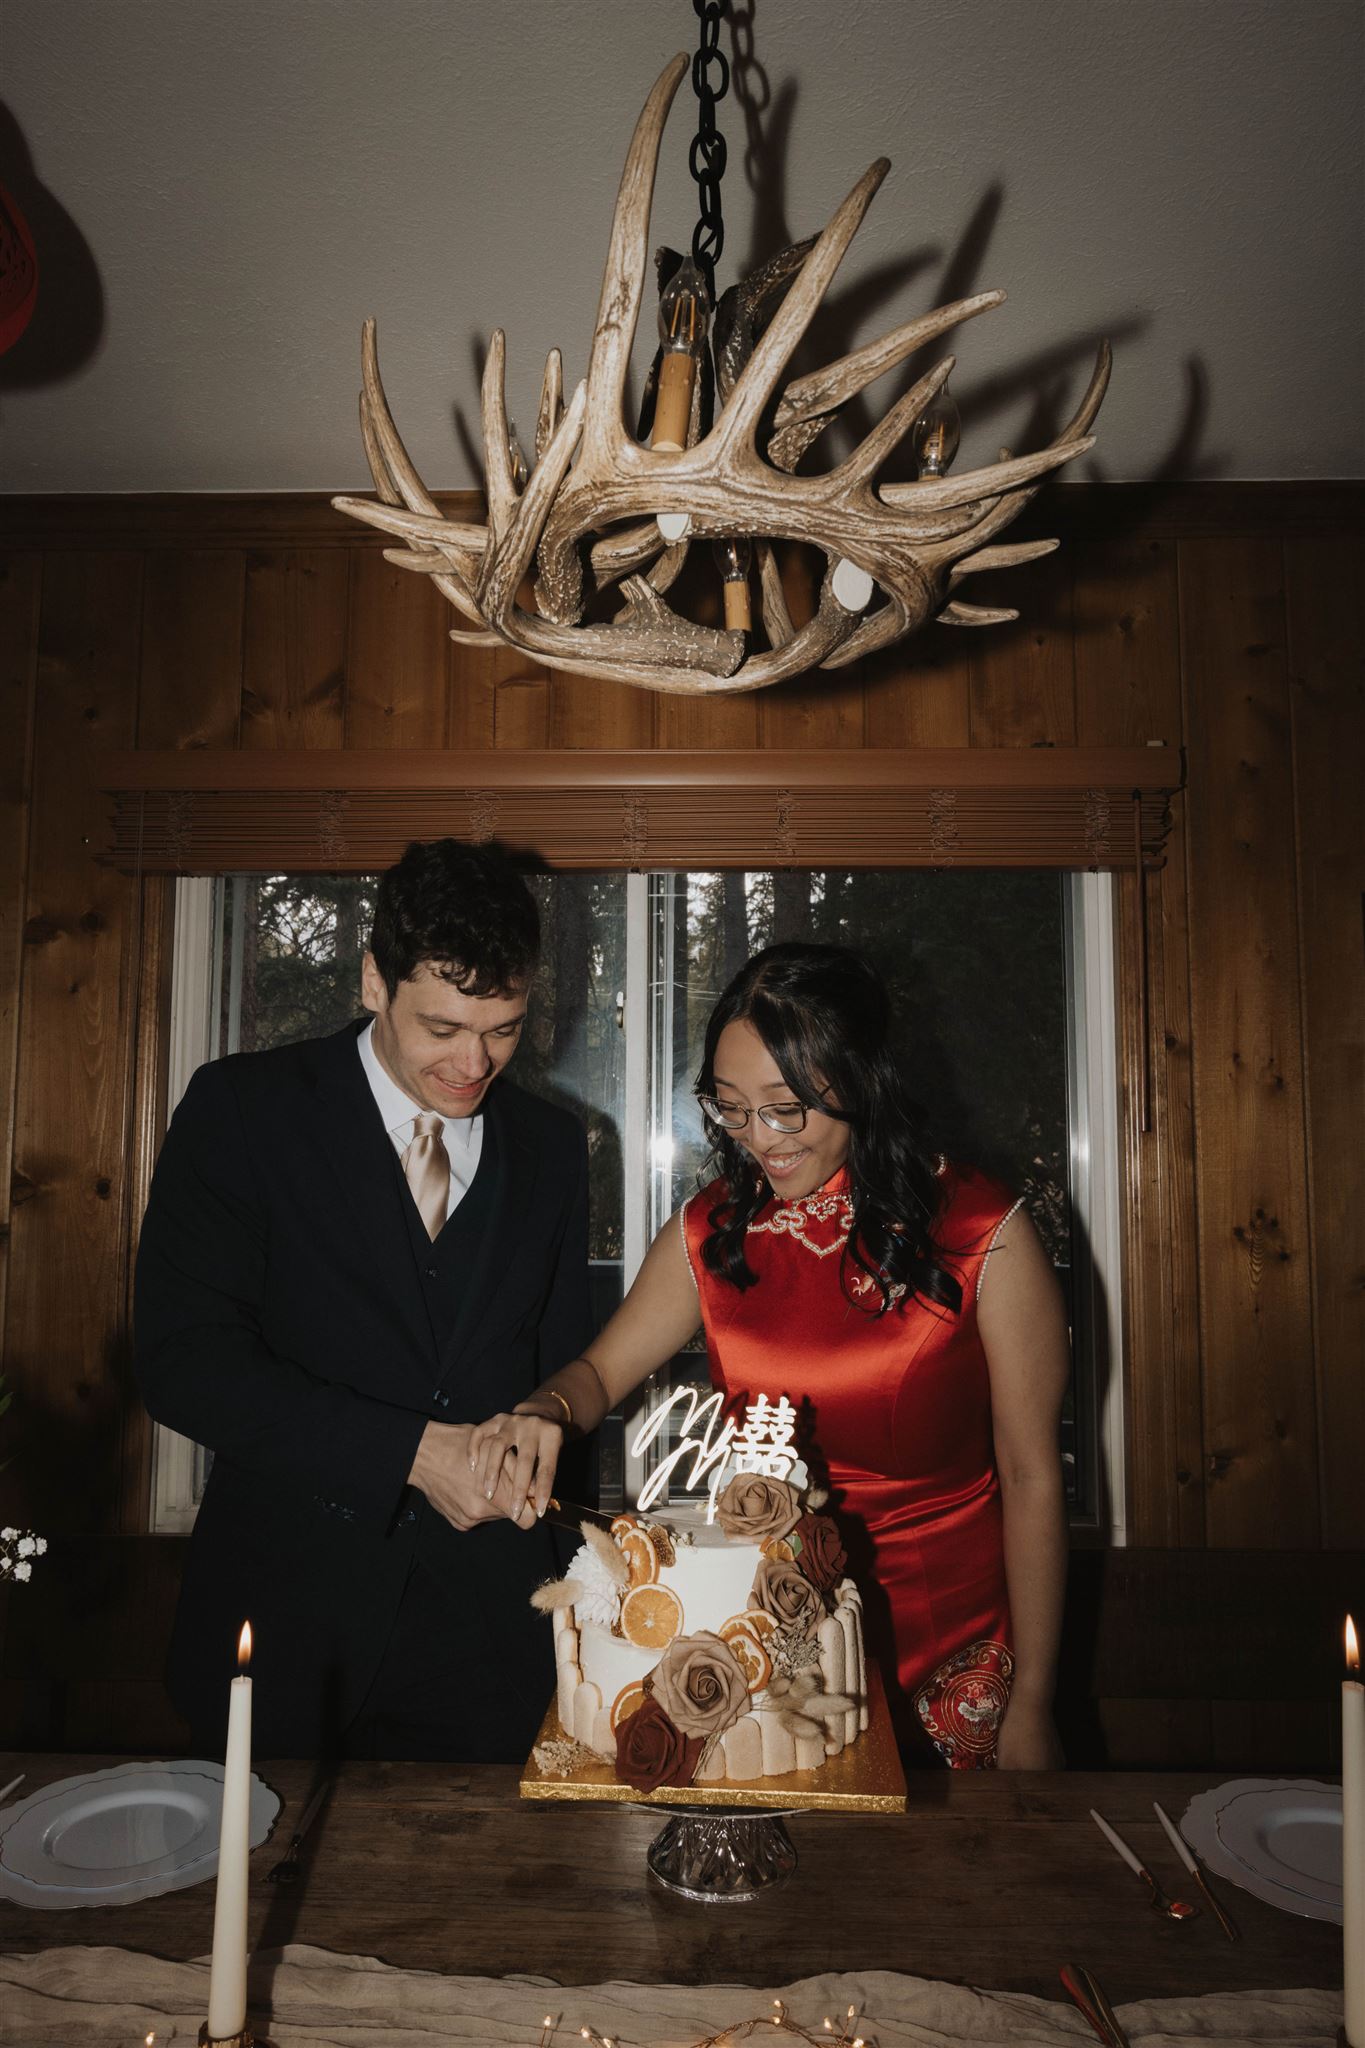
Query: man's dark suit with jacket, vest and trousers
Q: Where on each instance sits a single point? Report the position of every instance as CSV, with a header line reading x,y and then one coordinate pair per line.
x,y
288,1318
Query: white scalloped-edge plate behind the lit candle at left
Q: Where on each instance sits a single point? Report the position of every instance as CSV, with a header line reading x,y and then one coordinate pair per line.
x,y
118,1836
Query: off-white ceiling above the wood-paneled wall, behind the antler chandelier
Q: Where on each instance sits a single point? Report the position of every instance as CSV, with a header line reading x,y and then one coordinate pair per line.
x,y
224,189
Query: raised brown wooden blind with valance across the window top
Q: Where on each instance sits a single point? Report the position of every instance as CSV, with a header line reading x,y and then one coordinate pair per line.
x,y
1041,808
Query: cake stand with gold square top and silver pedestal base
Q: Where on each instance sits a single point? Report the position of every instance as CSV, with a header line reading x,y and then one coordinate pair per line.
x,y
725,1844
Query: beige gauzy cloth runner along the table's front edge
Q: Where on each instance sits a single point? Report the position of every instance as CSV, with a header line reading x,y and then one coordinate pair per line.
x,y
112,1998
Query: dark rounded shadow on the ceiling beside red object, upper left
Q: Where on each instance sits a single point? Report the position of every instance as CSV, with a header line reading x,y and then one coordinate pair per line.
x,y
69,318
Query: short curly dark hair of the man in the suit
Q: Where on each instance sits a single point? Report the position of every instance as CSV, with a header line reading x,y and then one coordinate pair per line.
x,y
461,910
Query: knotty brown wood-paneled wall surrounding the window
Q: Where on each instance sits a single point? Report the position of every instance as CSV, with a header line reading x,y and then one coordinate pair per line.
x,y
1221,617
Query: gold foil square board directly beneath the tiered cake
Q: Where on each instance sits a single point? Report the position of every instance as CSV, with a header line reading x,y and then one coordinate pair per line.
x,y
863,1779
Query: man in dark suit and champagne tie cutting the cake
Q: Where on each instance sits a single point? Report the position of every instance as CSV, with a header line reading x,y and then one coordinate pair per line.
x,y
357,1248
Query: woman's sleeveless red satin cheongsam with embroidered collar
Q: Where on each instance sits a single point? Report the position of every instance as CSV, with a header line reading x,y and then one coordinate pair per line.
x,y
897,1414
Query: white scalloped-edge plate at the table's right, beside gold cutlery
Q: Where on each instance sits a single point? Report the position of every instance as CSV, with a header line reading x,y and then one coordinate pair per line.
x,y
1278,1838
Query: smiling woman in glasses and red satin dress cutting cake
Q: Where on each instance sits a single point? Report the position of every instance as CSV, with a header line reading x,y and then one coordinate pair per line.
x,y
908,1312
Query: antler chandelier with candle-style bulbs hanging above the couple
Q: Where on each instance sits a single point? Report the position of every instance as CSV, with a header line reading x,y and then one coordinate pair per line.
x,y
601,511
